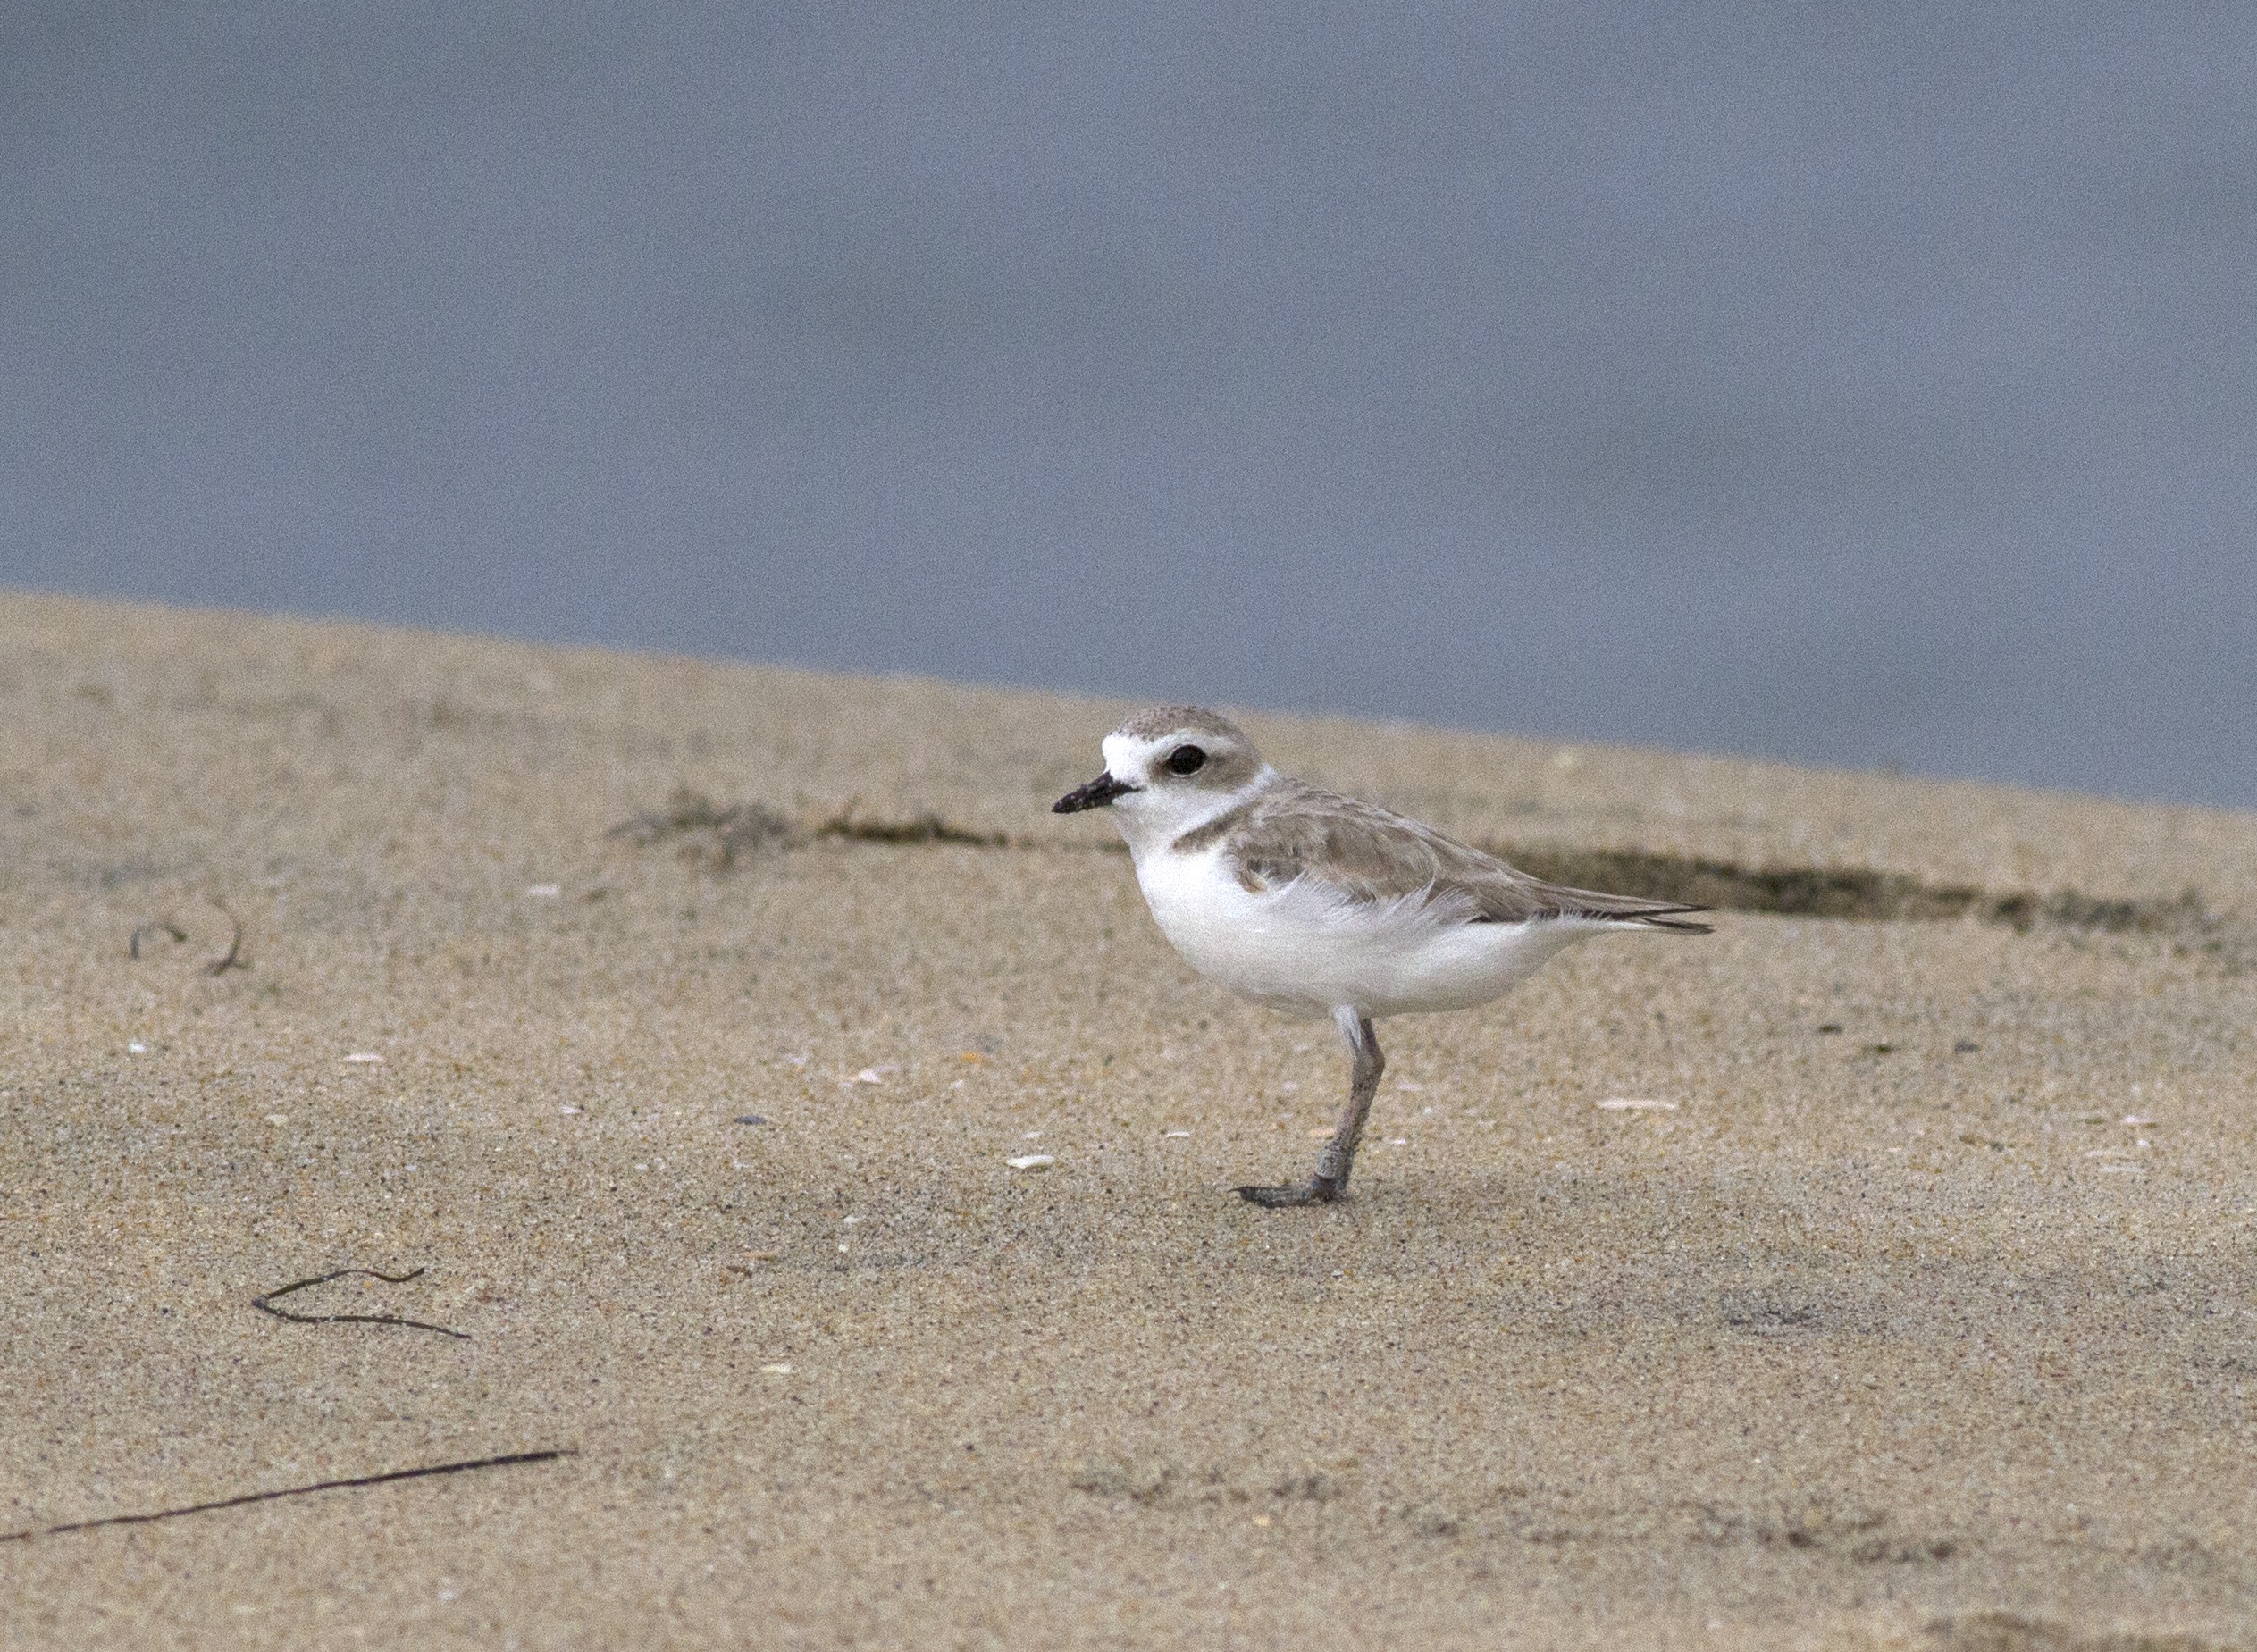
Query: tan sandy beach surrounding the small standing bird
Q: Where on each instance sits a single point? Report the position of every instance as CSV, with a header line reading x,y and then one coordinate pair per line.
x,y
1881,1337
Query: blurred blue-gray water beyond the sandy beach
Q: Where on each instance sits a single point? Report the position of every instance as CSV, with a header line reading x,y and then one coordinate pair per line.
x,y
1856,385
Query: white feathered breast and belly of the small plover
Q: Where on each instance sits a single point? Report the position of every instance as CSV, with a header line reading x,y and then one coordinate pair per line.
x,y
1303,951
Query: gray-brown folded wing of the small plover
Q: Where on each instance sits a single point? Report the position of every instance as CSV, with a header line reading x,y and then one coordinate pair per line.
x,y
1373,854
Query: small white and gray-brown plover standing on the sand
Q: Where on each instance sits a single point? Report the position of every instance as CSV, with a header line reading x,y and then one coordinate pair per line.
x,y
1328,906
